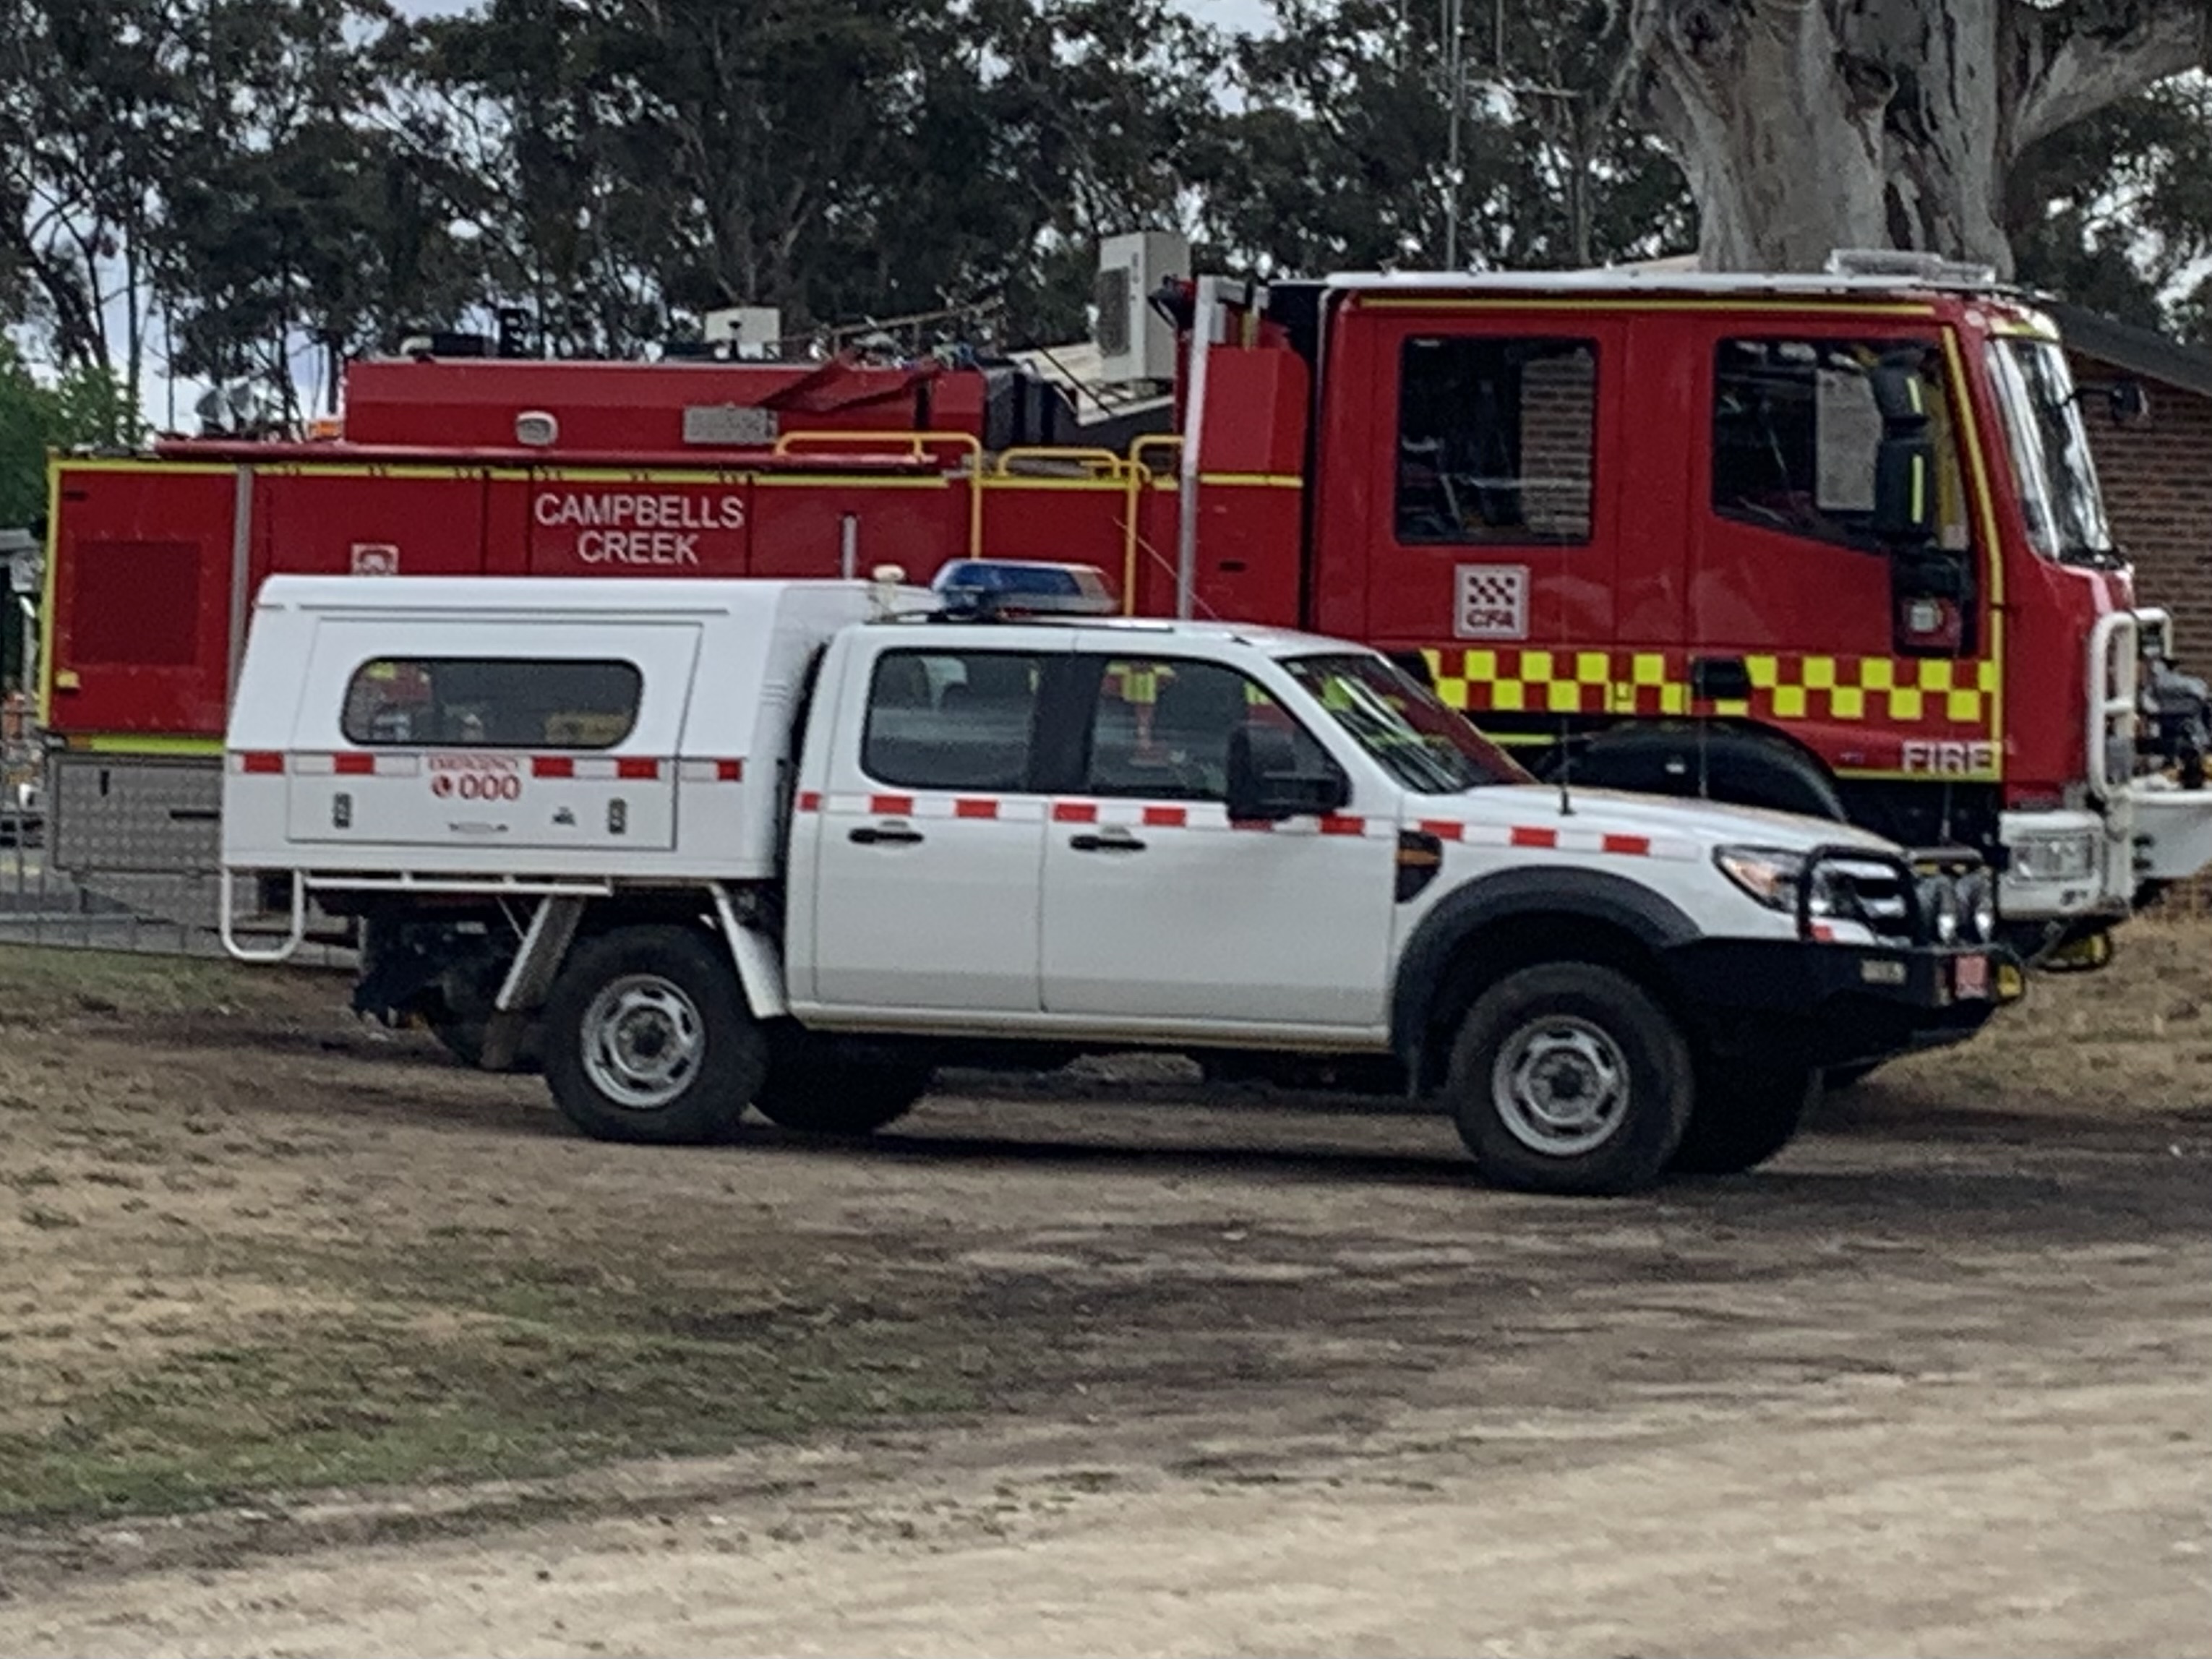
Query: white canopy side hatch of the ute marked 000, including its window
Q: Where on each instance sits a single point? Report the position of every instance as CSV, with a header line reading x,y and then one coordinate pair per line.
x,y
468,733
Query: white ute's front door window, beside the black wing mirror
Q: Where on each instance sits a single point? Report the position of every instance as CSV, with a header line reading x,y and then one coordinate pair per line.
x,y
1162,729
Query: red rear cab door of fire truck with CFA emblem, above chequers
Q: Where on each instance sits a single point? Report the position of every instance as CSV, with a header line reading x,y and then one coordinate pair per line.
x,y
1499,523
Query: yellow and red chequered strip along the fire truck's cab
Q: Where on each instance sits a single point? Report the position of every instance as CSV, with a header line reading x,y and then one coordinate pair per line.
x,y
1892,691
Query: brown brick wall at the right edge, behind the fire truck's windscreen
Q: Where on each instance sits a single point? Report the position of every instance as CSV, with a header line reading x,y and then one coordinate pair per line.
x,y
2158,488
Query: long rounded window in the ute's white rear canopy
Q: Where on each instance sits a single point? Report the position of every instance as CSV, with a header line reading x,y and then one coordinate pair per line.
x,y
492,702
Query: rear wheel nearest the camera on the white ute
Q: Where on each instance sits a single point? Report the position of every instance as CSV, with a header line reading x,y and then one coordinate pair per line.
x,y
649,1039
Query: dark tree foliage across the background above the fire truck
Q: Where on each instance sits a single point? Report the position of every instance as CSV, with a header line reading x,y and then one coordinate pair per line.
x,y
260,189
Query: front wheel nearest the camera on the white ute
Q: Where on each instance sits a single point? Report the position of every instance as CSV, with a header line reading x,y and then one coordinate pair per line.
x,y
1569,1078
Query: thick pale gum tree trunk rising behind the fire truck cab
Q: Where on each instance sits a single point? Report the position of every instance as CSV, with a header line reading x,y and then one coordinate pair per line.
x,y
1819,125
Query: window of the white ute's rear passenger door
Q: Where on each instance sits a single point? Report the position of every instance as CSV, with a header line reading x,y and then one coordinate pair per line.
x,y
952,720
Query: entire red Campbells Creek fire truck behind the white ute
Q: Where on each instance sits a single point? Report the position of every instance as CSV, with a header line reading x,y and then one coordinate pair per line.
x,y
1822,543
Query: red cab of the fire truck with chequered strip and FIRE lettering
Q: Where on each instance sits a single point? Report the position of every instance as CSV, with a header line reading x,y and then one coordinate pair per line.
x,y
1819,543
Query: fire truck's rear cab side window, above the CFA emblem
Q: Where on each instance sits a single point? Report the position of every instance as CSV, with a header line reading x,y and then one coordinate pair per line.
x,y
1496,441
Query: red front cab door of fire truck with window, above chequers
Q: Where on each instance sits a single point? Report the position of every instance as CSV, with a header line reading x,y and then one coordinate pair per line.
x,y
1784,470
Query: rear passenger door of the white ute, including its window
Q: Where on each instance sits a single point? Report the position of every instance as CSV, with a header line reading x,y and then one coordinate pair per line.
x,y
930,828
